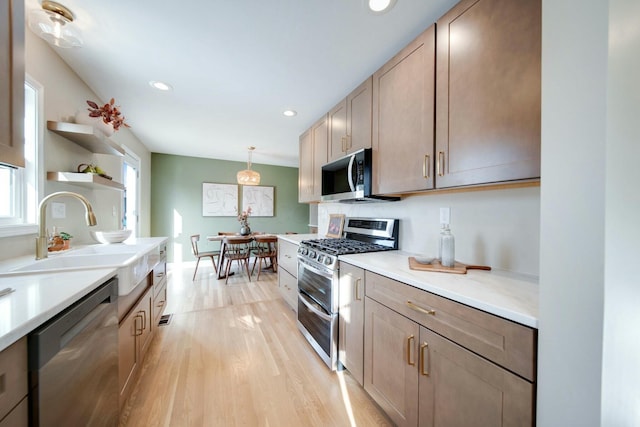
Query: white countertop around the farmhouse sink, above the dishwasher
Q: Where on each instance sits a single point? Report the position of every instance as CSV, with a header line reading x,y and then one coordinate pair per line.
x,y
39,297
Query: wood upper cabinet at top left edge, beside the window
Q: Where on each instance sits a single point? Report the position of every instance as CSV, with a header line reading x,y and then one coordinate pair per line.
x,y
12,82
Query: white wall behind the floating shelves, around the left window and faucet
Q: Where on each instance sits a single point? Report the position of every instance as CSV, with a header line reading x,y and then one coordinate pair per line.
x,y
64,94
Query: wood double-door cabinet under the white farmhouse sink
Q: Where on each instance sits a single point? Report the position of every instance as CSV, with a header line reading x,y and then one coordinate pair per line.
x,y
134,337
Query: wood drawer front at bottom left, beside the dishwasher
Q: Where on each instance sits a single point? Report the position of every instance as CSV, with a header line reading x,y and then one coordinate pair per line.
x,y
13,376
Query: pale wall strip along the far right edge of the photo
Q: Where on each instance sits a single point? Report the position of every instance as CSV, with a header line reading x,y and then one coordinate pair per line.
x,y
621,344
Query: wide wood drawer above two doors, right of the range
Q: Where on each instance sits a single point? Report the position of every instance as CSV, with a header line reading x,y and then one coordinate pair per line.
x,y
506,343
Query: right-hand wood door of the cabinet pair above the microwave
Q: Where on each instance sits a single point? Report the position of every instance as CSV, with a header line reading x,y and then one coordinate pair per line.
x,y
359,117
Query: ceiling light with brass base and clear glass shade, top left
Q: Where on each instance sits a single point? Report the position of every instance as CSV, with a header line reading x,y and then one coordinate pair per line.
x,y
54,23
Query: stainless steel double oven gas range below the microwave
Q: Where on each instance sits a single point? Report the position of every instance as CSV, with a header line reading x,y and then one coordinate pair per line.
x,y
319,278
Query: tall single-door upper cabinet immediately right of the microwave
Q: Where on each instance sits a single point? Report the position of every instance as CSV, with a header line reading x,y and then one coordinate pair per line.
x,y
403,114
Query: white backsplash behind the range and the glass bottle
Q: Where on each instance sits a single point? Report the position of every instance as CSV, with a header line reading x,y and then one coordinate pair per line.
x,y
499,228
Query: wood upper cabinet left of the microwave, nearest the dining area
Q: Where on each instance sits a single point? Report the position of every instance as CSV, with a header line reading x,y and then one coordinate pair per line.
x,y
313,154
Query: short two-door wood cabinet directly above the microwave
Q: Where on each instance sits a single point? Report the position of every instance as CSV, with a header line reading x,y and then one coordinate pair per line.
x,y
350,122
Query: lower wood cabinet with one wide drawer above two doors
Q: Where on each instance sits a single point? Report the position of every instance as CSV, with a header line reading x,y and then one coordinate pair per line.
x,y
462,375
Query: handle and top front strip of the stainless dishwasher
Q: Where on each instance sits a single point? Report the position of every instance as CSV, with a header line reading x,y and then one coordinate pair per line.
x,y
45,342
